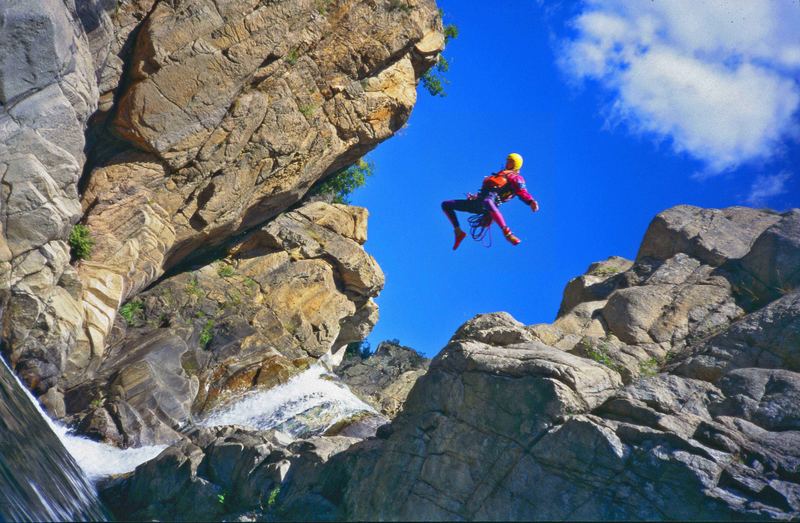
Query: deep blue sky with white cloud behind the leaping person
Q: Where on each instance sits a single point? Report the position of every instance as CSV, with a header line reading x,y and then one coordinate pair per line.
x,y
620,109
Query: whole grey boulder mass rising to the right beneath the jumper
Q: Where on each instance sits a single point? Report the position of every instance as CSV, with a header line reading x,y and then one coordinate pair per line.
x,y
667,388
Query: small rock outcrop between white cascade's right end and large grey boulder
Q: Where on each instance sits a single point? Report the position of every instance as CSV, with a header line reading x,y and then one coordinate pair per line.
x,y
384,378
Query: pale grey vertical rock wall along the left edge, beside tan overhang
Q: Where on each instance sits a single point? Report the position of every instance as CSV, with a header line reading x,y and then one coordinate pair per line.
x,y
47,92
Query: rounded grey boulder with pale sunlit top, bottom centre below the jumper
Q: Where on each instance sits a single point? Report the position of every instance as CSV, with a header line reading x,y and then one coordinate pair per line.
x,y
467,424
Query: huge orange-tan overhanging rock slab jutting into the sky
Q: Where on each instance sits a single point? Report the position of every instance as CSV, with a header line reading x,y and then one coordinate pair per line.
x,y
232,112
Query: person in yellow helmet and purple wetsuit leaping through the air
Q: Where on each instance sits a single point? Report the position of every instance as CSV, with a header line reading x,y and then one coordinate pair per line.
x,y
496,189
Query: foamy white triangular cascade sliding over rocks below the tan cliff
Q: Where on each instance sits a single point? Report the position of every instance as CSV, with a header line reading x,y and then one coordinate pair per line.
x,y
307,404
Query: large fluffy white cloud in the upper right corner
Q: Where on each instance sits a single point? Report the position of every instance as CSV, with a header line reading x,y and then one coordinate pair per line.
x,y
717,78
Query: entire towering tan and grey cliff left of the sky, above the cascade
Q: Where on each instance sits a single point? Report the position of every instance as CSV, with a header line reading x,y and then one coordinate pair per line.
x,y
177,132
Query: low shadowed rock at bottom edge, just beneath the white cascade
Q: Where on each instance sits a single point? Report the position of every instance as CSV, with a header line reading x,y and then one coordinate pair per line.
x,y
218,474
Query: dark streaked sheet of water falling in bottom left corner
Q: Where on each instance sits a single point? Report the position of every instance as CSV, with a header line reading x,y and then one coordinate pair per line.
x,y
39,479
